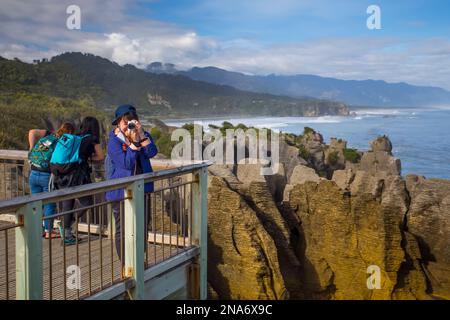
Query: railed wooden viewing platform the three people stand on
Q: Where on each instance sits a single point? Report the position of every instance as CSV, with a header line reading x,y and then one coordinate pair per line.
x,y
166,260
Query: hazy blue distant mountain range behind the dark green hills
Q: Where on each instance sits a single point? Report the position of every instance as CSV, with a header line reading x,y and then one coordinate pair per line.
x,y
353,92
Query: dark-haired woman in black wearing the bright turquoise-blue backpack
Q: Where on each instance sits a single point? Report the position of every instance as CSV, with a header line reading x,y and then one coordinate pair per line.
x,y
71,168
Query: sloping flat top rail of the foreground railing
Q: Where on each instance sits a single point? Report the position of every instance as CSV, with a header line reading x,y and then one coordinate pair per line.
x,y
7,206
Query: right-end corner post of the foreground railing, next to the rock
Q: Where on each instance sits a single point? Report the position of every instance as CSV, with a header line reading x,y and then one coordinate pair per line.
x,y
200,225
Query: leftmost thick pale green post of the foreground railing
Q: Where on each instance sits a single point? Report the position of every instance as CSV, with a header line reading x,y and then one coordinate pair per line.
x,y
29,274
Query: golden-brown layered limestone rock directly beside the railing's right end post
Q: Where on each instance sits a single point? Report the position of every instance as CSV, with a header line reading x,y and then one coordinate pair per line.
x,y
242,256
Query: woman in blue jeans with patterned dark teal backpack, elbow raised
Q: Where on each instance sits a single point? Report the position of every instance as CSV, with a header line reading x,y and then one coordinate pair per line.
x,y
42,144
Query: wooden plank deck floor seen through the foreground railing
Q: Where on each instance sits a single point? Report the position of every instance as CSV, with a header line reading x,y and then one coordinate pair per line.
x,y
104,265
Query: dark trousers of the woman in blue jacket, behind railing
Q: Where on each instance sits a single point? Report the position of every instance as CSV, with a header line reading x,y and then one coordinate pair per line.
x,y
118,212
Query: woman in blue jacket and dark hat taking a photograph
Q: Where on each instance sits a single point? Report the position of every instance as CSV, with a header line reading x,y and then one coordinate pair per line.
x,y
129,151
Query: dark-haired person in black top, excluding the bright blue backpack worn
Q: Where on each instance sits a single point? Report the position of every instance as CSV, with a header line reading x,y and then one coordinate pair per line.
x,y
90,149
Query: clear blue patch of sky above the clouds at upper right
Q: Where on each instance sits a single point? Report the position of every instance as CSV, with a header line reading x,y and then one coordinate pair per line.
x,y
294,21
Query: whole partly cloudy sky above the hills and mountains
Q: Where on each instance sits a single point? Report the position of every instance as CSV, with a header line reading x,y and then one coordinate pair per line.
x,y
321,37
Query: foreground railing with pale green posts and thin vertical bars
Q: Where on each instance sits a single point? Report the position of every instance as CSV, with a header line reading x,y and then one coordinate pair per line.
x,y
155,227
